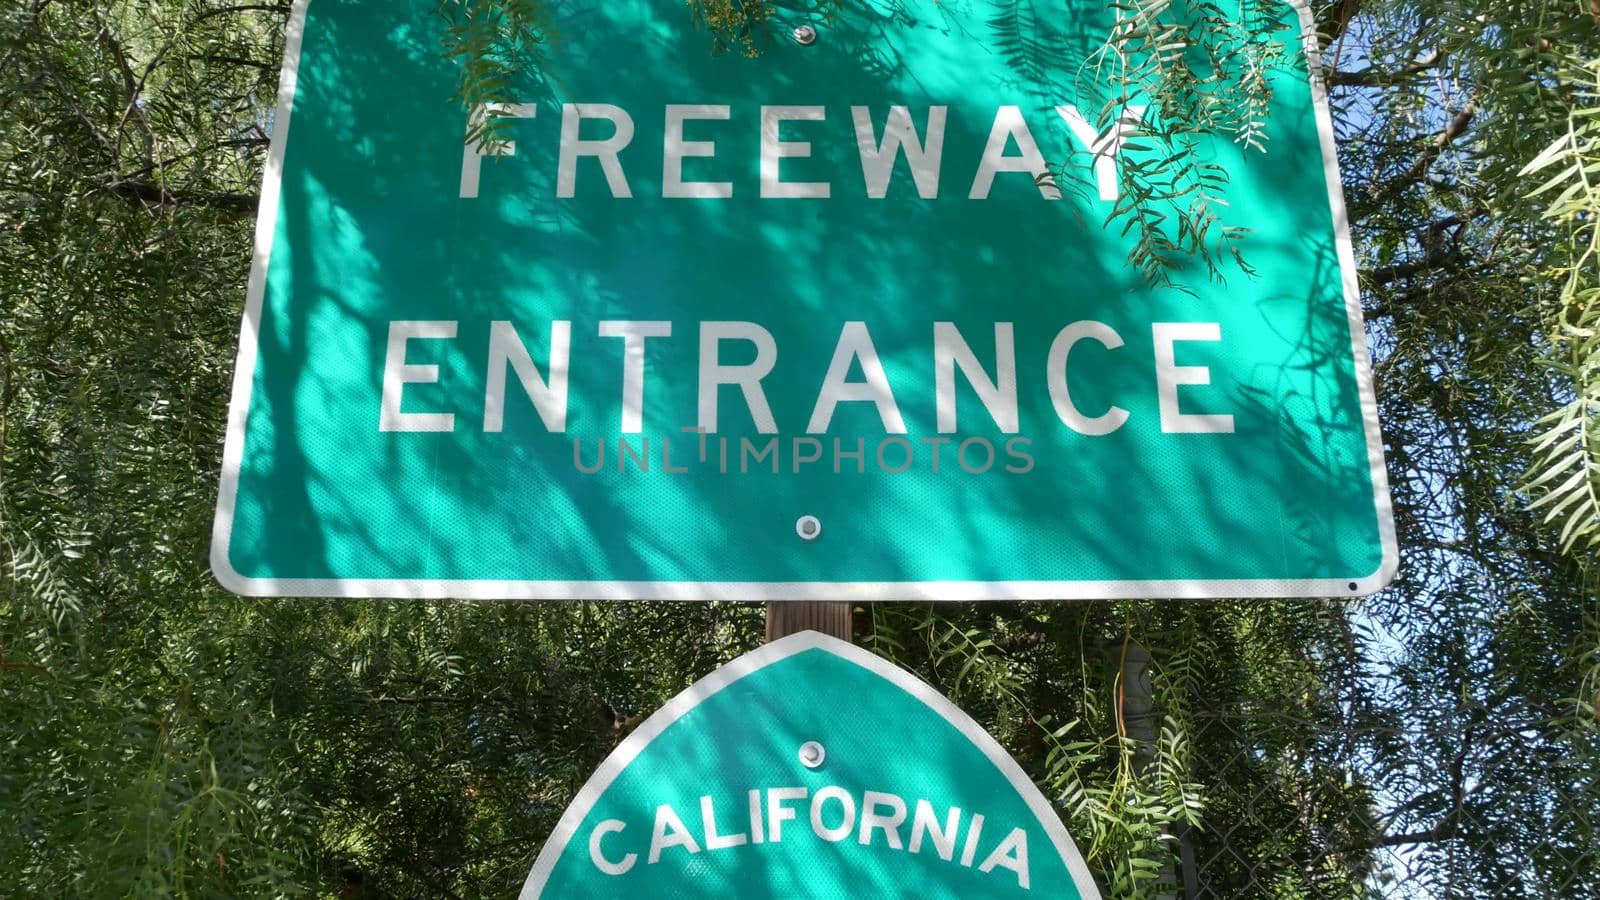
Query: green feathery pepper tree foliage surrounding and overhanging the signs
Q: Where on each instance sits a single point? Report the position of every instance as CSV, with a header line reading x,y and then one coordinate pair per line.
x,y
1438,741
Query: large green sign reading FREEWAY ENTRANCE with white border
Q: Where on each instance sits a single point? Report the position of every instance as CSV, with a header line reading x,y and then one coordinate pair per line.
x,y
849,319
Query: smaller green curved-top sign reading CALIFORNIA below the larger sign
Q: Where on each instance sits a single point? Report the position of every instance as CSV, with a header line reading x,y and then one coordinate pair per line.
x,y
758,782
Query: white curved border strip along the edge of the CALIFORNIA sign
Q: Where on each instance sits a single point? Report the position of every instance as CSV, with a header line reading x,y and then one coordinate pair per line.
x,y
759,659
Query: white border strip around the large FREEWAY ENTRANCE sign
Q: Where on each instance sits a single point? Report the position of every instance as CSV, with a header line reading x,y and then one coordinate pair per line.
x,y
490,590
